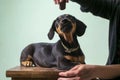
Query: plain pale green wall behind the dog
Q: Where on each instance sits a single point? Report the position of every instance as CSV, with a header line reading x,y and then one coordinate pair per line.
x,y
28,21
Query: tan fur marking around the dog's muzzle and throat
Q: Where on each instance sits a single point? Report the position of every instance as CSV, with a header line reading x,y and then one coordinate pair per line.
x,y
67,36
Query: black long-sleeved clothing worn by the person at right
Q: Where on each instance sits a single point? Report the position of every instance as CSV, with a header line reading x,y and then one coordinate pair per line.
x,y
109,9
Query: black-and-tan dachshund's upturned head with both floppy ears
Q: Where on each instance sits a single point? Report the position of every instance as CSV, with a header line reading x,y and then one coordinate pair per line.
x,y
66,26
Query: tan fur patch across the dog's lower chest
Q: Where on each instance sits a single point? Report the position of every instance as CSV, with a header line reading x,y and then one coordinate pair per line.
x,y
80,59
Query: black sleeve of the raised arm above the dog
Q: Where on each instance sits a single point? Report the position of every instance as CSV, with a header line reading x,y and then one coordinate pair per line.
x,y
102,8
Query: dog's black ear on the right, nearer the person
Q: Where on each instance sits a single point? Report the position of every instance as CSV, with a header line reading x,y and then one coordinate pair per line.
x,y
80,27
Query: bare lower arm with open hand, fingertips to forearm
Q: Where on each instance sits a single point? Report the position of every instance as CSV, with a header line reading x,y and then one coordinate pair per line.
x,y
91,72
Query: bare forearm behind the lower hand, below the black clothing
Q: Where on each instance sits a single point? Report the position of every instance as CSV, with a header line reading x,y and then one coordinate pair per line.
x,y
107,72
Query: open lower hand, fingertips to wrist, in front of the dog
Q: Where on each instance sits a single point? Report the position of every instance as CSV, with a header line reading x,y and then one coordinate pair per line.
x,y
79,72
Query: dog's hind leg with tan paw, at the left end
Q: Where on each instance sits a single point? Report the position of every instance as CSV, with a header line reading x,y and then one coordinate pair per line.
x,y
26,56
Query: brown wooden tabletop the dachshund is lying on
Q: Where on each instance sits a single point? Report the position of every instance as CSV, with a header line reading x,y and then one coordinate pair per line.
x,y
32,73
